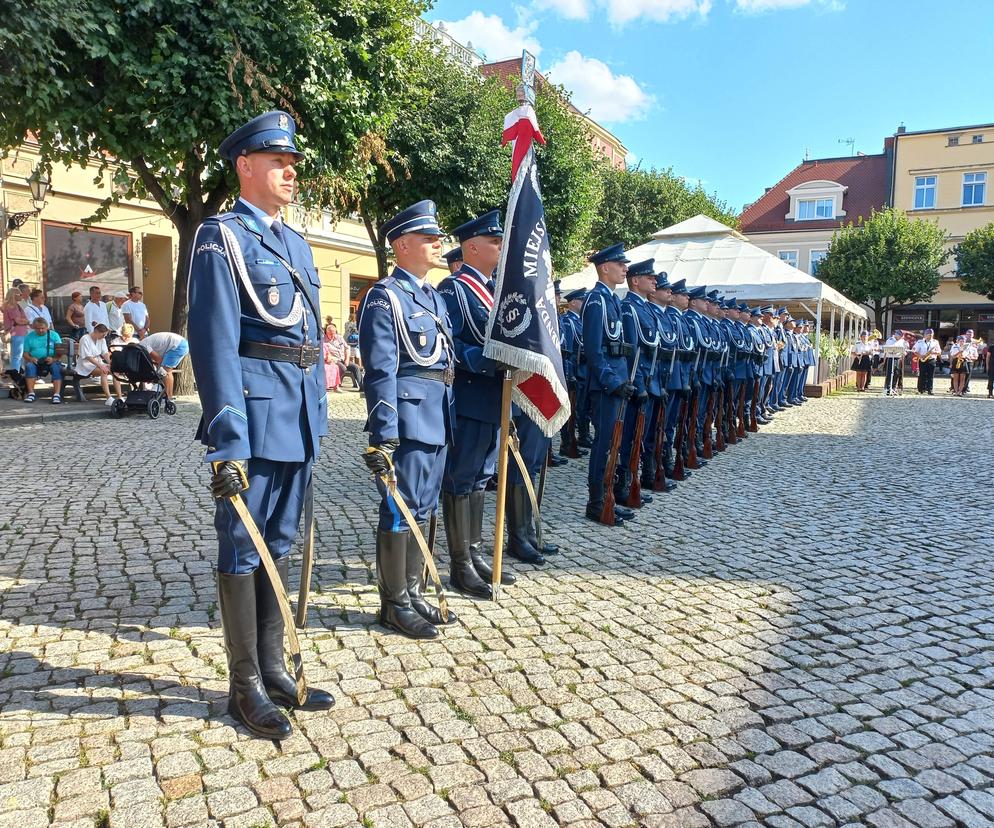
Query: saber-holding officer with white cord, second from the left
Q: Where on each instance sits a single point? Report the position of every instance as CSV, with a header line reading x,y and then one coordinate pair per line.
x,y
406,345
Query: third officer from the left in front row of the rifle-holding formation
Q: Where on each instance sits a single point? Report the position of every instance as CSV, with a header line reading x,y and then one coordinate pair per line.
x,y
668,368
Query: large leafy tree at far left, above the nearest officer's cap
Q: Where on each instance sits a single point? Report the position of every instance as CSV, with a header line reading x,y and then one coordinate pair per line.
x,y
157,84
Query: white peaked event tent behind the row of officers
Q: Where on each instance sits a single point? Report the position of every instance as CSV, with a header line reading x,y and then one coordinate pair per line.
x,y
706,252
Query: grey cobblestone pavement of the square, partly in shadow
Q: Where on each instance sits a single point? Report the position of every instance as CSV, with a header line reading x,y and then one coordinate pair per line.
x,y
801,634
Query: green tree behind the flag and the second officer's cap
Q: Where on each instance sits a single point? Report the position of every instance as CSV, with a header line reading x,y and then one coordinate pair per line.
x,y
446,146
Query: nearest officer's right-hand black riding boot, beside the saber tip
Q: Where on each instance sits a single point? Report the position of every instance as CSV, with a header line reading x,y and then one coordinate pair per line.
x,y
277,680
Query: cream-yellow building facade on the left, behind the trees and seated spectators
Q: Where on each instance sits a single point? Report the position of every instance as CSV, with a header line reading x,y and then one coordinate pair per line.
x,y
137,244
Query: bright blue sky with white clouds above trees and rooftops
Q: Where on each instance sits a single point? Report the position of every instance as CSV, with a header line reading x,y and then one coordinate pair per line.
x,y
733,92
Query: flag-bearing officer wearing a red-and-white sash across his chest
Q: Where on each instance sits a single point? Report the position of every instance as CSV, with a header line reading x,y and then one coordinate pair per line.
x,y
472,460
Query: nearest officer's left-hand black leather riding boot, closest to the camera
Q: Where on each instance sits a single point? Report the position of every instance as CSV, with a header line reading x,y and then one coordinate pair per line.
x,y
247,698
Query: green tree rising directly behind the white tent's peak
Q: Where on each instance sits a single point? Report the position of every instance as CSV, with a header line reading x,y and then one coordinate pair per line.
x,y
639,202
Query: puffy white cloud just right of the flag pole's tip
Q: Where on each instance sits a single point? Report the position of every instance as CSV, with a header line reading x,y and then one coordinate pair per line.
x,y
596,89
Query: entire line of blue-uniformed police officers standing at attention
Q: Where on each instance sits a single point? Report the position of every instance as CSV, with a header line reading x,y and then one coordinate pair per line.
x,y
658,383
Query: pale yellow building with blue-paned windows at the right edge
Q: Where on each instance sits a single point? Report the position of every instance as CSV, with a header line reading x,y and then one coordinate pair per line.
x,y
944,175
